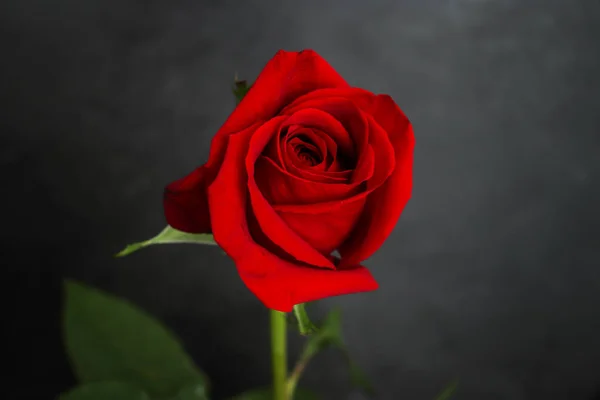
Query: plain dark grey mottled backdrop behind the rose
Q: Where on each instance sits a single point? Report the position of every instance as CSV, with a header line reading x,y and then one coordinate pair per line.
x,y
492,275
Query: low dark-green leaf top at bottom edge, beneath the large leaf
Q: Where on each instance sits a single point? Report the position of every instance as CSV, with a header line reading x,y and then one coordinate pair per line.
x,y
105,391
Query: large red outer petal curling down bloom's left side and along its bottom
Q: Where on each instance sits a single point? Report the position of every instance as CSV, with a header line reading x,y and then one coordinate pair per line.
x,y
279,284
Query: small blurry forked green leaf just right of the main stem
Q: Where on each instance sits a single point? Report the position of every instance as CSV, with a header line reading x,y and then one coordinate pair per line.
x,y
330,335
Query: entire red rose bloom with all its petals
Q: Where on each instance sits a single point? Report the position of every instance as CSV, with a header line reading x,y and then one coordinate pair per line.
x,y
303,166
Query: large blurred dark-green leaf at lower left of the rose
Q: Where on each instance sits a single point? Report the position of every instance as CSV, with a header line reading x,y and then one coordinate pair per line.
x,y
109,339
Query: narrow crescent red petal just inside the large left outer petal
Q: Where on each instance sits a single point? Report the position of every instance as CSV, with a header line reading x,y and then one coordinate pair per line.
x,y
270,223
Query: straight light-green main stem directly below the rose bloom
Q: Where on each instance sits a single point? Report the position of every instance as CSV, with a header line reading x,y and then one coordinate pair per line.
x,y
278,354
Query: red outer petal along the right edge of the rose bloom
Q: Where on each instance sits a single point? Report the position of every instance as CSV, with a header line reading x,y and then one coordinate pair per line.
x,y
384,205
